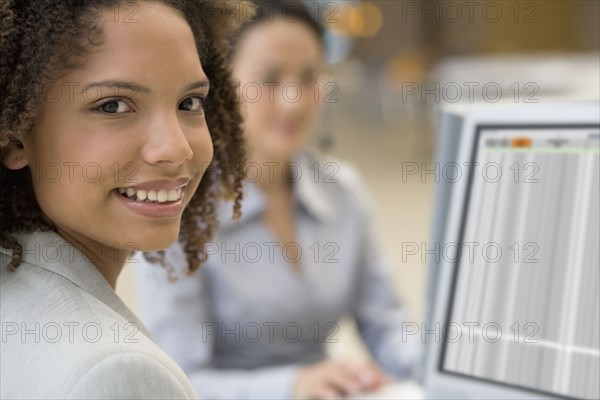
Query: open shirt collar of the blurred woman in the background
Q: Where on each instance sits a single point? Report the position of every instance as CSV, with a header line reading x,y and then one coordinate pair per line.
x,y
309,191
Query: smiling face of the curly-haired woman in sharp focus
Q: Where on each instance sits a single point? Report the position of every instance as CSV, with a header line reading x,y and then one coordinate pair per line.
x,y
130,120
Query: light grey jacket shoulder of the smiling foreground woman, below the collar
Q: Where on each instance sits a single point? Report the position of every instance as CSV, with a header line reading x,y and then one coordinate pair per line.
x,y
60,341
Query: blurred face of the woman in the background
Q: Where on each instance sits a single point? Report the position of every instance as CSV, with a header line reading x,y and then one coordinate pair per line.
x,y
277,64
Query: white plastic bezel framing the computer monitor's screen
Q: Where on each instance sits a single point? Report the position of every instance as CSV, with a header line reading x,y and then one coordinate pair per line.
x,y
440,384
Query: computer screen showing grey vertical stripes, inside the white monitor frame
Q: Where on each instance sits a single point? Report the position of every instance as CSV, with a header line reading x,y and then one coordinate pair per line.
x,y
524,308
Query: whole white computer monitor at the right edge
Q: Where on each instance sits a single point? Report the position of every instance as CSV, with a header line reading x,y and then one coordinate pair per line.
x,y
514,306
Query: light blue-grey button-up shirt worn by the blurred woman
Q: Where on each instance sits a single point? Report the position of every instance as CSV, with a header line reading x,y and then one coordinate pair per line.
x,y
245,324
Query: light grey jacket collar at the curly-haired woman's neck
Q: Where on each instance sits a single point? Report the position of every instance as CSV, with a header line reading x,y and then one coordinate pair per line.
x,y
52,252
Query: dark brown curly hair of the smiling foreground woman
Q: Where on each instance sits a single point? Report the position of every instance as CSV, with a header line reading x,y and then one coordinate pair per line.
x,y
41,38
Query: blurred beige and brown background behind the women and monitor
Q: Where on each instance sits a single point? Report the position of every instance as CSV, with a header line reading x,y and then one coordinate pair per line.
x,y
394,64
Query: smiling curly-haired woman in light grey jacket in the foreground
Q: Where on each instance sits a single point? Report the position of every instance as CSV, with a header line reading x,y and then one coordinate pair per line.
x,y
111,114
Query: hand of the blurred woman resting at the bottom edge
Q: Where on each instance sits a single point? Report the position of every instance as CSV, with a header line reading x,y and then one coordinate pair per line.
x,y
334,379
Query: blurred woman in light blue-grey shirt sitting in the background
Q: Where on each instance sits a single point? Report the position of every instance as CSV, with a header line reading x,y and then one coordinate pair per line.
x,y
255,320
